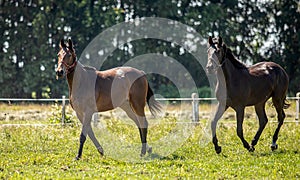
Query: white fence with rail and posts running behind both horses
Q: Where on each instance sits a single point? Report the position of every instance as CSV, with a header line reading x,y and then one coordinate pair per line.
x,y
194,99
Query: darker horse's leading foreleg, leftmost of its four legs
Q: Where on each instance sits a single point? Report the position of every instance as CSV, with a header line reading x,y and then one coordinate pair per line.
x,y
220,110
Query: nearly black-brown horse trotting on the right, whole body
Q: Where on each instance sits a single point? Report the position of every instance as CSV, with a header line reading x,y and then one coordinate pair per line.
x,y
239,86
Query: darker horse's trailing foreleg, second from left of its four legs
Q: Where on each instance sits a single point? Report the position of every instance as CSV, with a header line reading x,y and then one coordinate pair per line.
x,y
240,118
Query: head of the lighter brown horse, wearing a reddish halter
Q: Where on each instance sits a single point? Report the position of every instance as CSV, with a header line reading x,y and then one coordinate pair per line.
x,y
66,59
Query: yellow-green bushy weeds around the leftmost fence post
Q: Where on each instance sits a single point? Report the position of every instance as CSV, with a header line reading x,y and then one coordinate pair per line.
x,y
56,115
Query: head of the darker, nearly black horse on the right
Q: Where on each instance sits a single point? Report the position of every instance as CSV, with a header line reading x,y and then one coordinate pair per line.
x,y
216,53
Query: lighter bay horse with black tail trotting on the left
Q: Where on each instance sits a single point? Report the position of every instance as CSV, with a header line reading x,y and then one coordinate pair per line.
x,y
92,91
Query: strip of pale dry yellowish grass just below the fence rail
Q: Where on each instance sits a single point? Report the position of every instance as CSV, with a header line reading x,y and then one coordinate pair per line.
x,y
44,112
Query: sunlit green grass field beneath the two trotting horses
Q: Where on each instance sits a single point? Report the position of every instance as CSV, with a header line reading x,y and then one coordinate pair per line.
x,y
48,151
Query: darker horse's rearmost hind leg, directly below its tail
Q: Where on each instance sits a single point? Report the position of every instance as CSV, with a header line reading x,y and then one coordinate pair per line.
x,y
278,104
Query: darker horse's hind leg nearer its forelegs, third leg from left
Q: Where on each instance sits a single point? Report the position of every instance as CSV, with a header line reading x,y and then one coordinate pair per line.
x,y
263,120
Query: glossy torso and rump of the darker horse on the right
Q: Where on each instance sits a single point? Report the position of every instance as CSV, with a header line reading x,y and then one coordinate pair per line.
x,y
256,85
